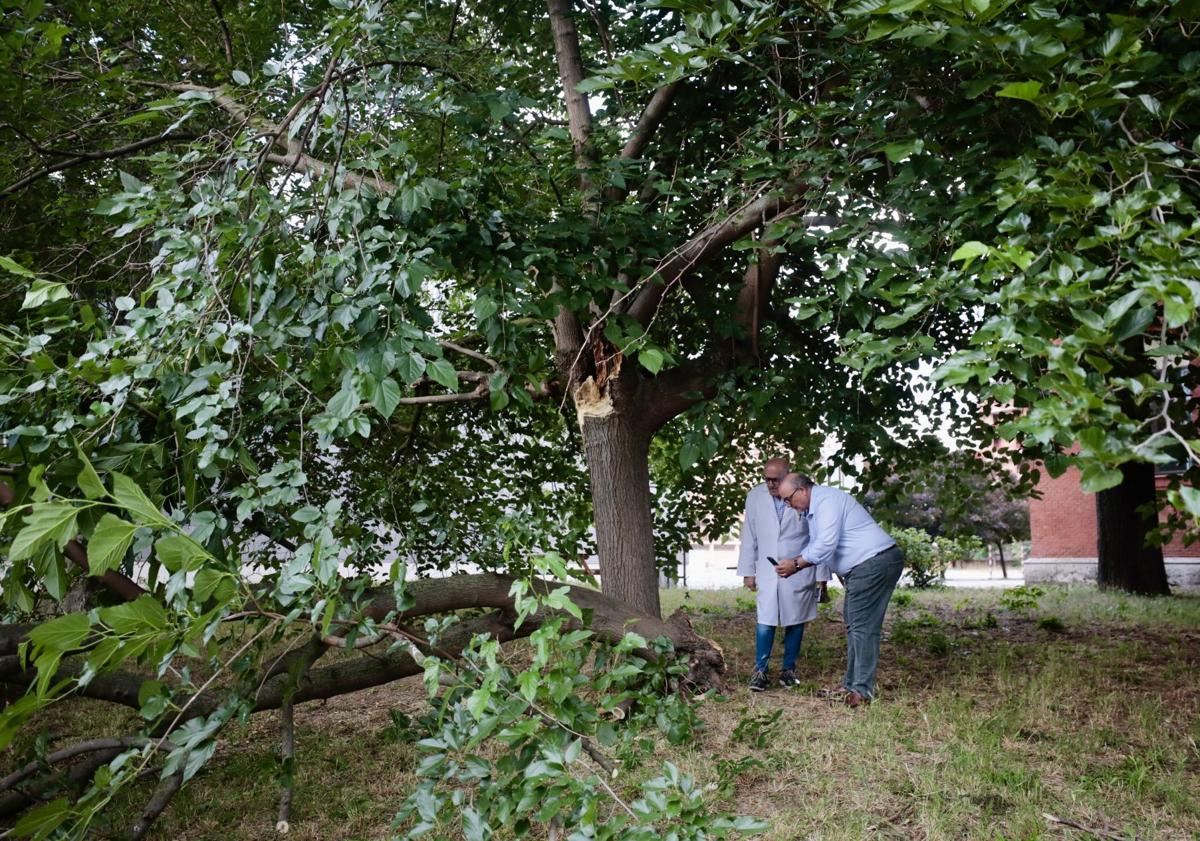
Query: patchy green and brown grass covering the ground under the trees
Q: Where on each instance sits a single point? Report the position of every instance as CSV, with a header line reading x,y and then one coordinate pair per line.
x,y
991,719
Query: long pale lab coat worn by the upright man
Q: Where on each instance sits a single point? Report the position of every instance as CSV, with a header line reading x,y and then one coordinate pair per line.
x,y
782,602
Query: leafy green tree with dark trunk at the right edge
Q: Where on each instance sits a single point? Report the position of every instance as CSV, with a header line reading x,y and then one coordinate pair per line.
x,y
1091,254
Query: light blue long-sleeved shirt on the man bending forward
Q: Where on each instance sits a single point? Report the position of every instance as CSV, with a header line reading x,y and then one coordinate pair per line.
x,y
842,534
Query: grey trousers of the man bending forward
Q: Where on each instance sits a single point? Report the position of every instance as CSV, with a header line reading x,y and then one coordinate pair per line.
x,y
868,591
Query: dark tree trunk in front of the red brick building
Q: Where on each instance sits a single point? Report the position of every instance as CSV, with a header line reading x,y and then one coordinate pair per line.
x,y
1125,516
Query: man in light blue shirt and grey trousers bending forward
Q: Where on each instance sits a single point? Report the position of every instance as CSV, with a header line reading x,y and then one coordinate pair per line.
x,y
845,539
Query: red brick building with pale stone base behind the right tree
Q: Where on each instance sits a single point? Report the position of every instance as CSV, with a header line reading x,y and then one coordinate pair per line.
x,y
1063,530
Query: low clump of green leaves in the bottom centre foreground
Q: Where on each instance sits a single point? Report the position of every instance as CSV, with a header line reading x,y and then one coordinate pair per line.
x,y
533,746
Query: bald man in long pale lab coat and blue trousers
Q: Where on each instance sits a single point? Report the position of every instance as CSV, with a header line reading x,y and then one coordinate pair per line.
x,y
772,530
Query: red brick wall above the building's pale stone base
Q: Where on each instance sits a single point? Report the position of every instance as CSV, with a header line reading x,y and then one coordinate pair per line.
x,y
1063,524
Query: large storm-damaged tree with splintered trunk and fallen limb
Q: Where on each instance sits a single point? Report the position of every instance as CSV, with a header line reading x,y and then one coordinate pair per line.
x,y
343,271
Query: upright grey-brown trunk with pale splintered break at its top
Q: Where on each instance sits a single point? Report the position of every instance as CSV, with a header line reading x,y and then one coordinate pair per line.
x,y
619,465
